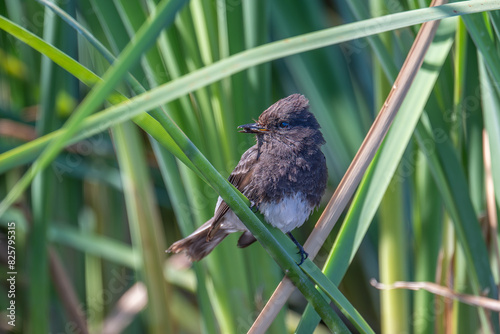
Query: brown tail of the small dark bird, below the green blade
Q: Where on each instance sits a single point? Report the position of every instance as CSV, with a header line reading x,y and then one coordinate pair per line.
x,y
198,245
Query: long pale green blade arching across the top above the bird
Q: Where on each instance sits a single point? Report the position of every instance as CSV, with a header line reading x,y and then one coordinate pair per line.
x,y
209,74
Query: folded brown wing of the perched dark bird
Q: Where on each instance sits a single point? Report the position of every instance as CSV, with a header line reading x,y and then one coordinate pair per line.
x,y
240,178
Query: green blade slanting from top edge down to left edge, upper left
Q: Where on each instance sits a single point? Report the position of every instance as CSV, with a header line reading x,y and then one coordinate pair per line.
x,y
164,16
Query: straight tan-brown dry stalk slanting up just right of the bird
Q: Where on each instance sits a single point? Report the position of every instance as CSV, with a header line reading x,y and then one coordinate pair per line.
x,y
357,169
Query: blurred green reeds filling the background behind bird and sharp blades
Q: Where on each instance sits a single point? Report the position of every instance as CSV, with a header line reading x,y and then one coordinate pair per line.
x,y
92,229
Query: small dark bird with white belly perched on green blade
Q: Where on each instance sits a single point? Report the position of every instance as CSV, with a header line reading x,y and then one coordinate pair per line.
x,y
284,176
